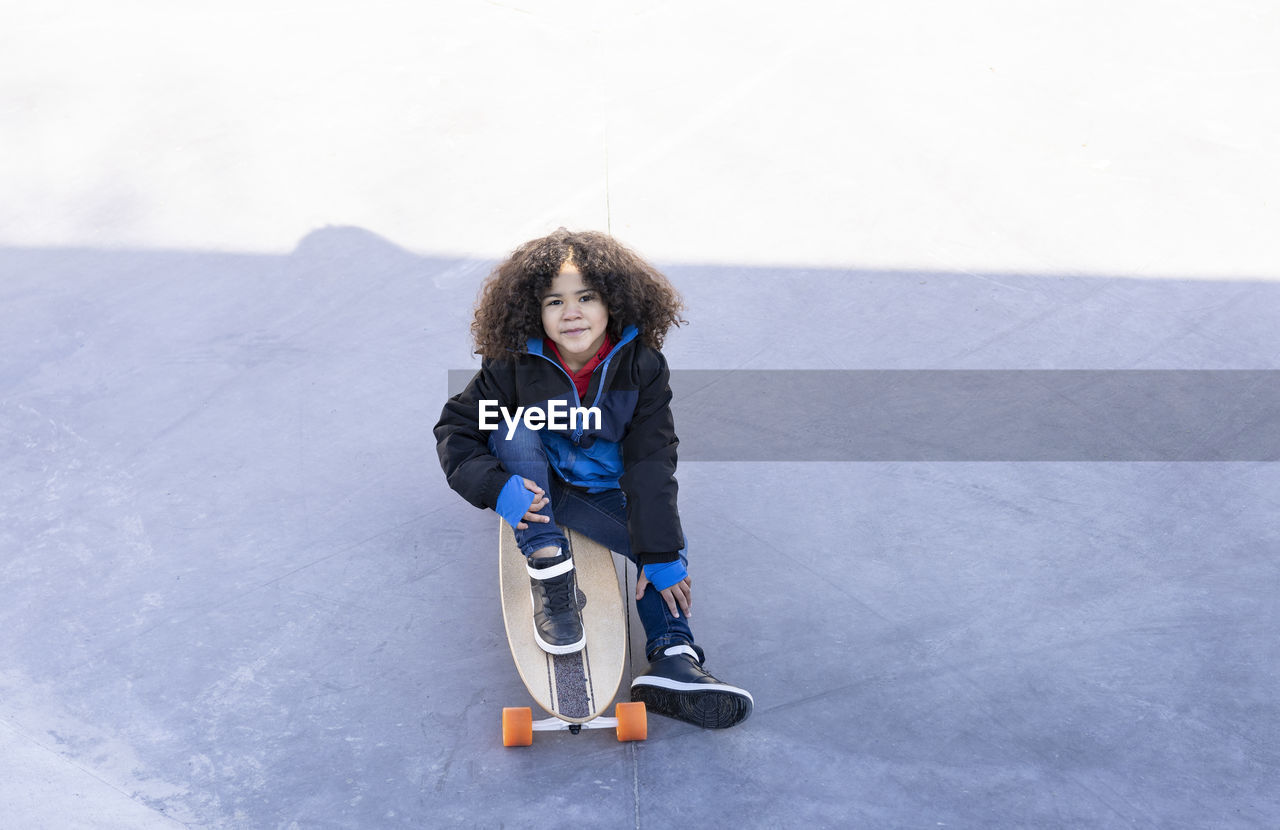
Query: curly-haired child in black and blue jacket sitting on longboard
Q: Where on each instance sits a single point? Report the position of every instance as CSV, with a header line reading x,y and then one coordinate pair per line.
x,y
578,320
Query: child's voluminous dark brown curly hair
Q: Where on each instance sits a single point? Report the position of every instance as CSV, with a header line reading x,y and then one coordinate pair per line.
x,y
510,307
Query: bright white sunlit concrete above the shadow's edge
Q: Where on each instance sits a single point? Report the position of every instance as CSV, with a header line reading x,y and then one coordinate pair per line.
x,y
1126,138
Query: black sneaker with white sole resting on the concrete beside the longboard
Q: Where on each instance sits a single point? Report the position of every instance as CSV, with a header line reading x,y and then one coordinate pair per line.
x,y
678,686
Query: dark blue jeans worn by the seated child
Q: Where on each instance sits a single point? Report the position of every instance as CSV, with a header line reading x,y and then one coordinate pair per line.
x,y
604,517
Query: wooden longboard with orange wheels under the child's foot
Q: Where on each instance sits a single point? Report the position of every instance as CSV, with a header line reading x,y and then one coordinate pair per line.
x,y
574,690
